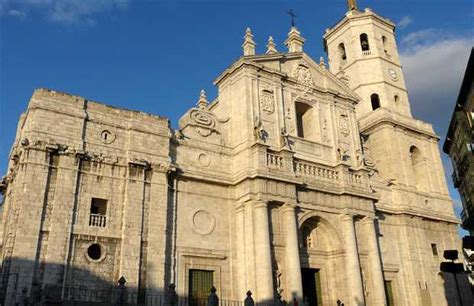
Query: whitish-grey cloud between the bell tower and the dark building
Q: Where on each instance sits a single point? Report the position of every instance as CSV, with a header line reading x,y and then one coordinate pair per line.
x,y
434,63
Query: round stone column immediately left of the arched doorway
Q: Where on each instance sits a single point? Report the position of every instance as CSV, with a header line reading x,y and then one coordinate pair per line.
x,y
292,254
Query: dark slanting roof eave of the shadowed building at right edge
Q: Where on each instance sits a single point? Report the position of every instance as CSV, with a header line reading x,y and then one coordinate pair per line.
x,y
461,100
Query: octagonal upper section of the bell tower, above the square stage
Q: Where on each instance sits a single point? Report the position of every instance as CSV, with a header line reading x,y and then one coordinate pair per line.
x,y
362,52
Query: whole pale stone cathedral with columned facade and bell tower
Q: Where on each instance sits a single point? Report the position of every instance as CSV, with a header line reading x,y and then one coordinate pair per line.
x,y
300,181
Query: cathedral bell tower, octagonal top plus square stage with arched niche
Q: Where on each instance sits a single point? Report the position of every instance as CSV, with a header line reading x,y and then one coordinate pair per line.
x,y
363,53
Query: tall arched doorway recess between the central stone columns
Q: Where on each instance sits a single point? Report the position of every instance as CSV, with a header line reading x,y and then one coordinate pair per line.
x,y
322,262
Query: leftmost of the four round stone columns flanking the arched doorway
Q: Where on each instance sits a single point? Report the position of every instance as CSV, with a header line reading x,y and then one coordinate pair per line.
x,y
263,257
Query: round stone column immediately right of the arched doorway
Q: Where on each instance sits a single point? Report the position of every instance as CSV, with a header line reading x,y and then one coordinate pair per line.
x,y
353,273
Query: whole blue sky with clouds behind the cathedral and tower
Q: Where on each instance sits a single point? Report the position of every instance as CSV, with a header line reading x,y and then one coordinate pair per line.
x,y
156,56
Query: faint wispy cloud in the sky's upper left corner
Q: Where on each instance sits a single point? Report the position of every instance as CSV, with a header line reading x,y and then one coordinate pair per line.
x,y
69,12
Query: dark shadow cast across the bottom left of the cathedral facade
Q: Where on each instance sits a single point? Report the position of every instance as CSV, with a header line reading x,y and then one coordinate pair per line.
x,y
82,287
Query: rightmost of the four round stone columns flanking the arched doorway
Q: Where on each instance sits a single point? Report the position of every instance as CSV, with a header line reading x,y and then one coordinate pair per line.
x,y
375,264
